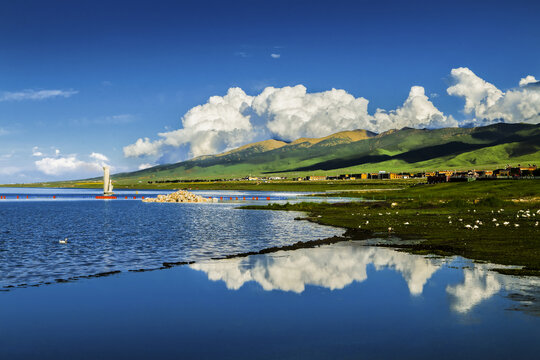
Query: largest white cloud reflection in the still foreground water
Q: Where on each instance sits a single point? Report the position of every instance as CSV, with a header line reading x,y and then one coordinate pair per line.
x,y
332,267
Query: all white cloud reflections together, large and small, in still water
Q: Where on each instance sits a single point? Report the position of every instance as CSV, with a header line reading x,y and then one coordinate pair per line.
x,y
339,265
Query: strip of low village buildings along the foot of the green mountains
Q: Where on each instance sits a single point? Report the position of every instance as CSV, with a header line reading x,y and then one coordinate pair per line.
x,y
529,171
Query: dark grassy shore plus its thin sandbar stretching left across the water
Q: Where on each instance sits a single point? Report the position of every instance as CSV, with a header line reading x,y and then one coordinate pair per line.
x,y
429,222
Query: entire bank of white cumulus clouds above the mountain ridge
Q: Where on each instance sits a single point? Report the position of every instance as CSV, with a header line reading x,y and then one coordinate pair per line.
x,y
291,112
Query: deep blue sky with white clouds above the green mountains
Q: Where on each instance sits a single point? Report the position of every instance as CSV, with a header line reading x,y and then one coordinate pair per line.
x,y
125,71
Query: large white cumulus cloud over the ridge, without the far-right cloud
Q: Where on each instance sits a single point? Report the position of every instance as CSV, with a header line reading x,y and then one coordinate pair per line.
x,y
288,113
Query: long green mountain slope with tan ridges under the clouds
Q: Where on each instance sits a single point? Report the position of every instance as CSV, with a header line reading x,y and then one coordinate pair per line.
x,y
361,151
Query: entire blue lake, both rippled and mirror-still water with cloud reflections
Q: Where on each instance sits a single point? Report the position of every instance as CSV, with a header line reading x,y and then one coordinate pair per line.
x,y
340,301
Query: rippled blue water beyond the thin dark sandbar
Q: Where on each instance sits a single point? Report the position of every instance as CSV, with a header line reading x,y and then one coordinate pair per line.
x,y
115,235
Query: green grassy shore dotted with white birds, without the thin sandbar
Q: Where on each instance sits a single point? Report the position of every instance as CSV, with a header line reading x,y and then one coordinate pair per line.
x,y
495,221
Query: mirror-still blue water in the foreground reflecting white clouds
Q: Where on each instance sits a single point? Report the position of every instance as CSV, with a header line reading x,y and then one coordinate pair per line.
x,y
342,301
